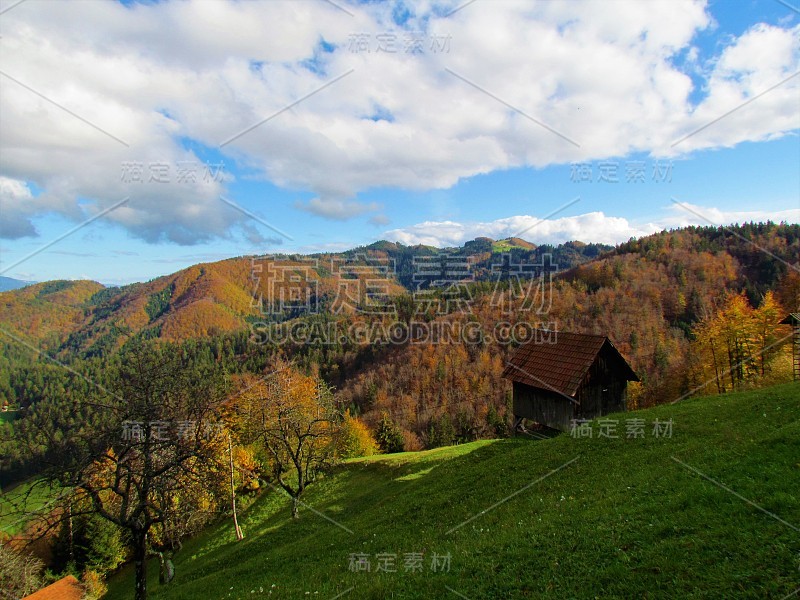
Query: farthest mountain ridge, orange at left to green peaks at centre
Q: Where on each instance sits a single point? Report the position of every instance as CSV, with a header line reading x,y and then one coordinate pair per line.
x,y
209,299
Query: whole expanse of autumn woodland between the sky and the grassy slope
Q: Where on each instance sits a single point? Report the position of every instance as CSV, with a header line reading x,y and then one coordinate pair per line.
x,y
383,349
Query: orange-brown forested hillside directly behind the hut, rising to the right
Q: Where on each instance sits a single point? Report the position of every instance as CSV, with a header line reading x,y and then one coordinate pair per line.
x,y
653,297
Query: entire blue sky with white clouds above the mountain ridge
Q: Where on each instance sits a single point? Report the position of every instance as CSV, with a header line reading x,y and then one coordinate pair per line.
x,y
506,113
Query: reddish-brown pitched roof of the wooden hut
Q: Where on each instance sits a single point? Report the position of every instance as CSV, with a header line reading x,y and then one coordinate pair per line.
x,y
560,366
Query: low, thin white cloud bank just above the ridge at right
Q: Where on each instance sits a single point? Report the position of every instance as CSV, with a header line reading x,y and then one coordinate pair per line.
x,y
593,227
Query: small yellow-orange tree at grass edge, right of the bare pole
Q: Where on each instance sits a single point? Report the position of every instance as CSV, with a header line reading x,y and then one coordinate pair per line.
x,y
292,418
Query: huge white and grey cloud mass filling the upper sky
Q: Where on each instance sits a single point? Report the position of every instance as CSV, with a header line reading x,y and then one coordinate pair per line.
x,y
277,87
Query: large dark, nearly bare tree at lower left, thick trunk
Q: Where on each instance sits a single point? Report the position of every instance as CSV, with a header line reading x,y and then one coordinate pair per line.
x,y
145,453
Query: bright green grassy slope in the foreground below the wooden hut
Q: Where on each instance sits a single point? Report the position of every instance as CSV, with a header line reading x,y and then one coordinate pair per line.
x,y
623,521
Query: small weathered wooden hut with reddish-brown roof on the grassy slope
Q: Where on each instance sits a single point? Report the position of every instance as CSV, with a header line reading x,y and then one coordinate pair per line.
x,y
561,376
